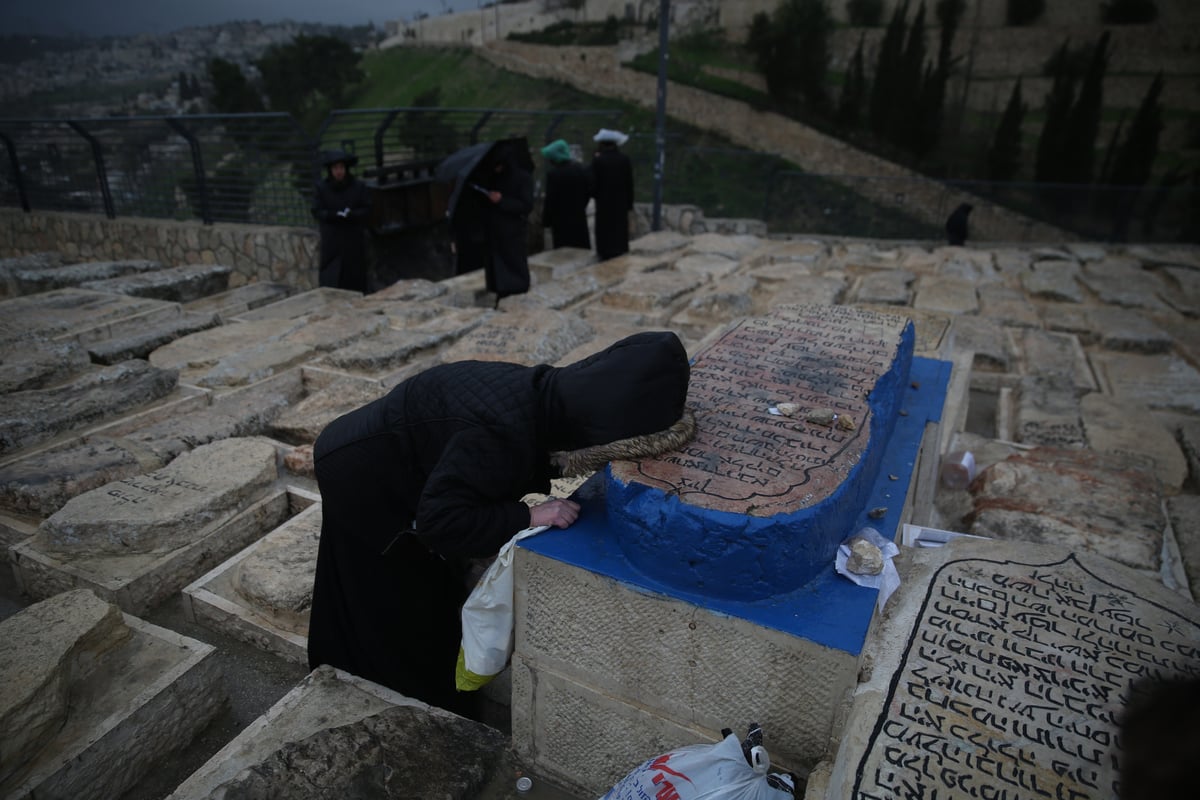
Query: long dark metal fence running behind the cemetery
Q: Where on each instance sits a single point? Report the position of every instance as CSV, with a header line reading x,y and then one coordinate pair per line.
x,y
261,169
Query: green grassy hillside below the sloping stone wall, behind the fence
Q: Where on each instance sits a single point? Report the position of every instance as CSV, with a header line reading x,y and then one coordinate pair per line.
x,y
701,169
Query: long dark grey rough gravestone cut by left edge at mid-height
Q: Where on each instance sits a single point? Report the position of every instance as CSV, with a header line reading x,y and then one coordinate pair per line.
x,y
38,416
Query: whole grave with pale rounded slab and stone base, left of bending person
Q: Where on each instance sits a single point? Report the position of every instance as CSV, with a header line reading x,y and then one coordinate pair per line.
x,y
139,540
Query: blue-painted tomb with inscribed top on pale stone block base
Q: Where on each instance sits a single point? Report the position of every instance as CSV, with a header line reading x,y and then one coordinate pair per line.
x,y
632,653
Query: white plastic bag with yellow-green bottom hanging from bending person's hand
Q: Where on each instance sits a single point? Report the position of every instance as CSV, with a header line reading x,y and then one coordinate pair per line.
x,y
488,622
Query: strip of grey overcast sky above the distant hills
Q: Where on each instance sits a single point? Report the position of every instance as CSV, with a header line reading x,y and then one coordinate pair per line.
x,y
124,17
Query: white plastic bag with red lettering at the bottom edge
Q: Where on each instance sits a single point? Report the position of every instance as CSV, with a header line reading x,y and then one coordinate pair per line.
x,y
717,772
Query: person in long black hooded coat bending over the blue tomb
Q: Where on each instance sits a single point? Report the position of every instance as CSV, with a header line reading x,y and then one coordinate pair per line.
x,y
433,474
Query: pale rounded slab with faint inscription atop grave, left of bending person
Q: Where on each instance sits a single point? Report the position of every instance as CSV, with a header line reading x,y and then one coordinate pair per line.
x,y
167,509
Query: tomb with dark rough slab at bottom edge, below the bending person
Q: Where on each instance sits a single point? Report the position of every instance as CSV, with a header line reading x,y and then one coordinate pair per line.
x,y
340,736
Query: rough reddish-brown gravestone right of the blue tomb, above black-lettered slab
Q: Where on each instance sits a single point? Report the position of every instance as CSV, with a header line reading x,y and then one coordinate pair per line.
x,y
1083,500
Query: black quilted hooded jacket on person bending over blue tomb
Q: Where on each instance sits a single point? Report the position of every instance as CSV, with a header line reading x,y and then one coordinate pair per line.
x,y
455,448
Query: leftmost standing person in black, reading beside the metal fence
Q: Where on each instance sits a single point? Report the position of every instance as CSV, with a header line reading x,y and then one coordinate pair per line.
x,y
341,203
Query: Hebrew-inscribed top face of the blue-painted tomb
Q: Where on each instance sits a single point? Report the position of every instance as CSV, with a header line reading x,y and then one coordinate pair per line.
x,y
749,461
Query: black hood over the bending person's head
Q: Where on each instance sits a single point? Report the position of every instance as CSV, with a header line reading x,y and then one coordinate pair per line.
x,y
635,387
